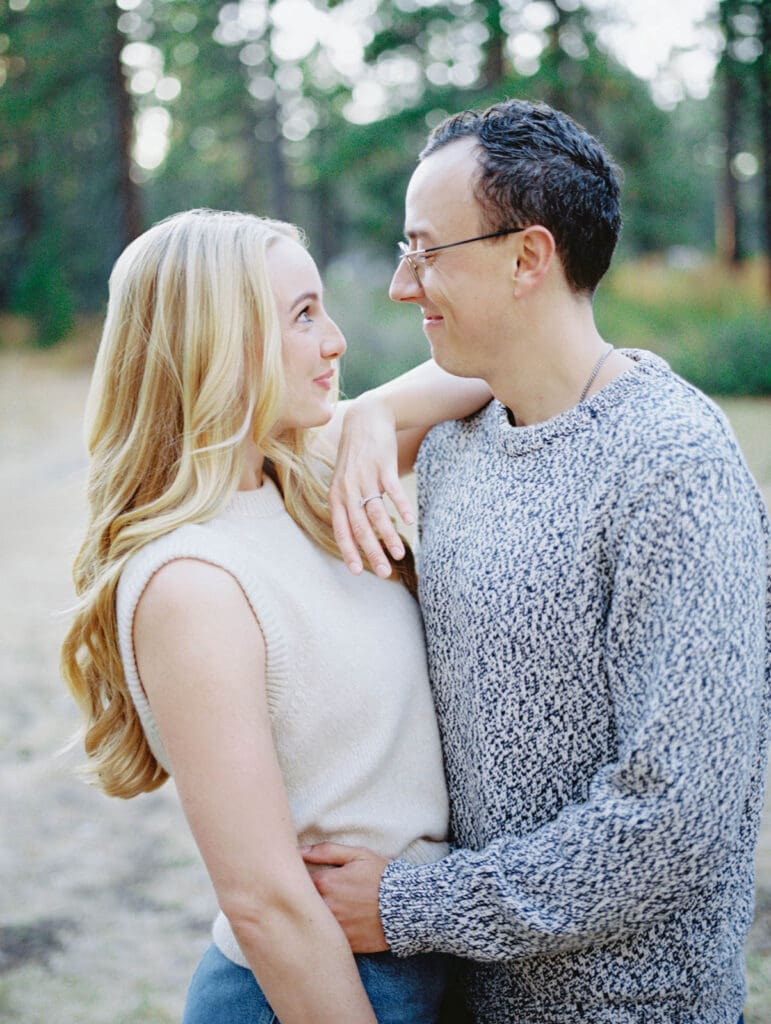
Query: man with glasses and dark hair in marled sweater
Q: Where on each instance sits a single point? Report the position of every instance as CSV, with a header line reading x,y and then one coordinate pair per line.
x,y
594,582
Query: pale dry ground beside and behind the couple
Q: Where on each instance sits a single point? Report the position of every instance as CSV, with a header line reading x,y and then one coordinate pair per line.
x,y
105,908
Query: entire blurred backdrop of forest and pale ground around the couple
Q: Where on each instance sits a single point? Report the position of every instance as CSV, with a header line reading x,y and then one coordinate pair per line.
x,y
116,113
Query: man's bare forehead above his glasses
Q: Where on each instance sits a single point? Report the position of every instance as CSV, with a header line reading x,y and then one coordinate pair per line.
x,y
442,189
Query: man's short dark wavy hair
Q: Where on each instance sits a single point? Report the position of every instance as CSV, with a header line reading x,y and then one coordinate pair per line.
x,y
538,166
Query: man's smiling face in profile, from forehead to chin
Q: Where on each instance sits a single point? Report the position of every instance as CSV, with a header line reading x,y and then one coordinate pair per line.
x,y
465,293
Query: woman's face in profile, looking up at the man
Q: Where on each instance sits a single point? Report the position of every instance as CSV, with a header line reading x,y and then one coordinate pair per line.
x,y
311,339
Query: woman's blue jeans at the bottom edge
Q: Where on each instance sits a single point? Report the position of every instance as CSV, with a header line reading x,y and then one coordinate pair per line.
x,y
403,991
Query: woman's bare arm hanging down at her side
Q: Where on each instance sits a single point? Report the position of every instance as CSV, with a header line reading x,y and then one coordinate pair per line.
x,y
201,658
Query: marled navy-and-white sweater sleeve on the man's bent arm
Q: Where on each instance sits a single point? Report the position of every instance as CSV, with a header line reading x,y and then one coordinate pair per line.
x,y
686,653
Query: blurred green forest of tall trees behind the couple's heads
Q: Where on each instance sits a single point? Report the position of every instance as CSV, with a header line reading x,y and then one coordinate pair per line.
x,y
116,113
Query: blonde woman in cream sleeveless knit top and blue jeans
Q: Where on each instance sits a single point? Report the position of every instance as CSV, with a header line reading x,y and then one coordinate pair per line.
x,y
221,638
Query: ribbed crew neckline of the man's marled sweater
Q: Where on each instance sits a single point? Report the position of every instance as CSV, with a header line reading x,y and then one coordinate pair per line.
x,y
523,441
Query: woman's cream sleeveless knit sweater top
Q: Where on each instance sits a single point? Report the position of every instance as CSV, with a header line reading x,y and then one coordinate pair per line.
x,y
347,679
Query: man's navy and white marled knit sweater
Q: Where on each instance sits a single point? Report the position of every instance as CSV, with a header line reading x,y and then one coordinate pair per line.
x,y
595,594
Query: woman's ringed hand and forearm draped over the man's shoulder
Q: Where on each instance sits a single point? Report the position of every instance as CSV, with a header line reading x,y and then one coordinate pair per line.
x,y
377,438
